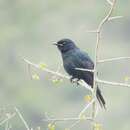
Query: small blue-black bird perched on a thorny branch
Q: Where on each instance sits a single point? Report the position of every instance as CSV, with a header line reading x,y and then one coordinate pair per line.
x,y
73,58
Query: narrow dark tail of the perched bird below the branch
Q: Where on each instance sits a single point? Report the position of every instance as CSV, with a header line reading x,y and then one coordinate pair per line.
x,y
100,98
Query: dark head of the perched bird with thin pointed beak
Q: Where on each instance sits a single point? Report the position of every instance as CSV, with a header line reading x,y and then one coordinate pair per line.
x,y
65,45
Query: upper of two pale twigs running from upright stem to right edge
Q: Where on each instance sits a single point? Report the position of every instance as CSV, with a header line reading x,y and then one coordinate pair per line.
x,y
114,59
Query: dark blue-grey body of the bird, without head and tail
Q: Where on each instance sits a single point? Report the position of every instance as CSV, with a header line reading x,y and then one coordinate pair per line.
x,y
79,59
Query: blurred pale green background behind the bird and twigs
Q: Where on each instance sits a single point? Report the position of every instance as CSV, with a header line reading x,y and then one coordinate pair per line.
x,y
28,28
